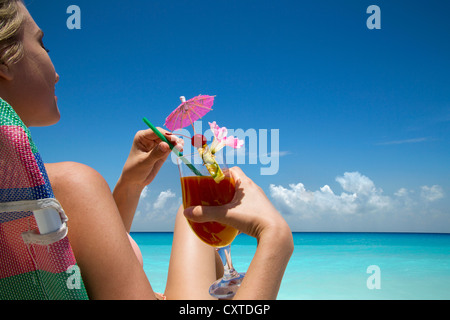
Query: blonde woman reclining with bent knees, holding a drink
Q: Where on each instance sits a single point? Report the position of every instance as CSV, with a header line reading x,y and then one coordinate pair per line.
x,y
99,221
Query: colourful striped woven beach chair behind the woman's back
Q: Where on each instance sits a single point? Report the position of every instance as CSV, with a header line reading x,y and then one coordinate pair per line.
x,y
36,259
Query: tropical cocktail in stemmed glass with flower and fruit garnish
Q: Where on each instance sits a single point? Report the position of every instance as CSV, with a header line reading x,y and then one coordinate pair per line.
x,y
211,184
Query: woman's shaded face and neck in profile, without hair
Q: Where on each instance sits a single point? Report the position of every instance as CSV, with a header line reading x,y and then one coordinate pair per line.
x,y
29,85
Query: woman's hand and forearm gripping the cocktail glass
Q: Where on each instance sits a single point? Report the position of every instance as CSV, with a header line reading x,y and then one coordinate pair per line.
x,y
251,212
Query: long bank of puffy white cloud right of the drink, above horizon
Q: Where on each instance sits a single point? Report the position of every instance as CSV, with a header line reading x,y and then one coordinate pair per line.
x,y
361,207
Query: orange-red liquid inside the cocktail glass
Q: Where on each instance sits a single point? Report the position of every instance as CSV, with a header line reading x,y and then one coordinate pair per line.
x,y
204,191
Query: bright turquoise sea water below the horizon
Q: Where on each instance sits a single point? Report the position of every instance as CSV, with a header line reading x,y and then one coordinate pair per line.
x,y
334,265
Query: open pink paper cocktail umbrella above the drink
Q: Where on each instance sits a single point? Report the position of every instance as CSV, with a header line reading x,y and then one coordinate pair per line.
x,y
189,111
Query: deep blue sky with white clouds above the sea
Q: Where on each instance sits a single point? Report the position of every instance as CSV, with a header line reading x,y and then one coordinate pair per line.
x,y
347,128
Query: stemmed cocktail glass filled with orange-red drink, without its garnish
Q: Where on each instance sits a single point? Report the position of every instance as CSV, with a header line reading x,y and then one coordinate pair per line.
x,y
203,190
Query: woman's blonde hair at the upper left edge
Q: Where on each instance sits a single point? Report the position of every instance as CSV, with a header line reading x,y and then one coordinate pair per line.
x,y
11,21
